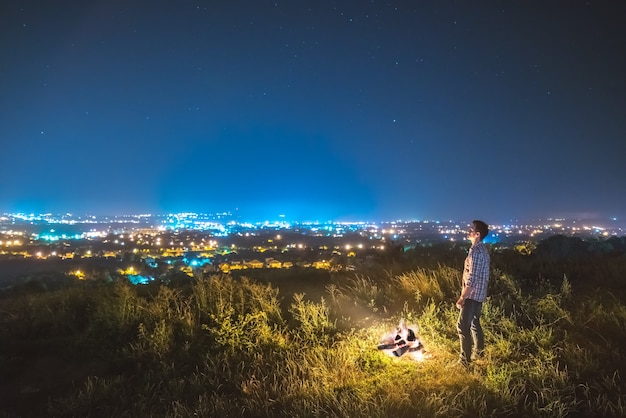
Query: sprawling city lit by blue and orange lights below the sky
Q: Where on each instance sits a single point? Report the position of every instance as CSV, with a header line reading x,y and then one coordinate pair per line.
x,y
139,245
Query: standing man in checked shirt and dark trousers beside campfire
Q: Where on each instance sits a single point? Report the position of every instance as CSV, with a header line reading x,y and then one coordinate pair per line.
x,y
475,281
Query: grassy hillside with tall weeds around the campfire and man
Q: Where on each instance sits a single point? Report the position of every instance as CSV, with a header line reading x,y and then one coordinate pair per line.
x,y
303,343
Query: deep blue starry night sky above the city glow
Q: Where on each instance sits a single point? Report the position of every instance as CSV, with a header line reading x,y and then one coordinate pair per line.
x,y
315,110
